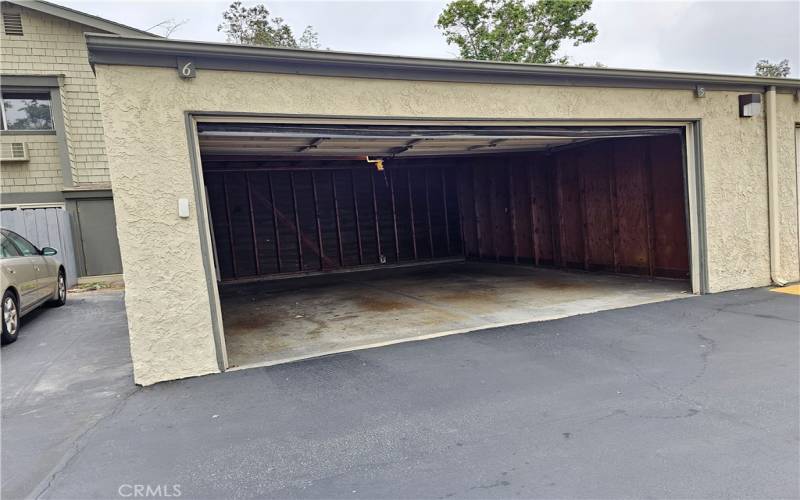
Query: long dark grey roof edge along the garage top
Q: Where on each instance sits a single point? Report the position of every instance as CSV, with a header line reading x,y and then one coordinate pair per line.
x,y
138,51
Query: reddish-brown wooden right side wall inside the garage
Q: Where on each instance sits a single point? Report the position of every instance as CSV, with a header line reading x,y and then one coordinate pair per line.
x,y
615,205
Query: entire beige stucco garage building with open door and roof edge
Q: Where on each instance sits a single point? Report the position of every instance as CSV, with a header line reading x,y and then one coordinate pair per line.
x,y
277,204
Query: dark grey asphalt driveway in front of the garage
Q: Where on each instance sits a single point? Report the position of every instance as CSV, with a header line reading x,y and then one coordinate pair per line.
x,y
690,398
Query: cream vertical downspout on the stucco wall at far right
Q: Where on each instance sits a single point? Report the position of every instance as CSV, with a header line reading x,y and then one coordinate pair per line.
x,y
773,187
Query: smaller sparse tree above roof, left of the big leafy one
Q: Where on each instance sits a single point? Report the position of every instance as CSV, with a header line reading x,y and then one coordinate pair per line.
x,y
253,26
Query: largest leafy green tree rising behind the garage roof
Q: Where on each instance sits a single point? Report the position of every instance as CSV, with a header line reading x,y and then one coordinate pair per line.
x,y
515,30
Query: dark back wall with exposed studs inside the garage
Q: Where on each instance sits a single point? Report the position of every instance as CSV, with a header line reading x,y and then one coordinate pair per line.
x,y
269,221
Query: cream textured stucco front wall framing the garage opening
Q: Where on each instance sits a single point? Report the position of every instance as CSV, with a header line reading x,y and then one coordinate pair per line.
x,y
143,114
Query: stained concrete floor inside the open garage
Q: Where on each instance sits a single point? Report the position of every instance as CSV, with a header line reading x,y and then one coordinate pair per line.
x,y
273,322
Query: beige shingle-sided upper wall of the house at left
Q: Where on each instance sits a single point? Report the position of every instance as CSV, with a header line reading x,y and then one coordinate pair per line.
x,y
51,46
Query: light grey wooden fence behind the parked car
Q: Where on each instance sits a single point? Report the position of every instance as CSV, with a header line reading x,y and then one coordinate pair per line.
x,y
45,227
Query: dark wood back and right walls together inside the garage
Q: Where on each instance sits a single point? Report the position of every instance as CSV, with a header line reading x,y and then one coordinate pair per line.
x,y
615,205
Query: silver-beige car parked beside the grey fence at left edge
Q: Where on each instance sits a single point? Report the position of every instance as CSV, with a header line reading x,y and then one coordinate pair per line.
x,y
29,277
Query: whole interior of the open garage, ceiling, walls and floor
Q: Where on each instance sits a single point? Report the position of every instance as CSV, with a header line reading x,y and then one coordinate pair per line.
x,y
334,237
